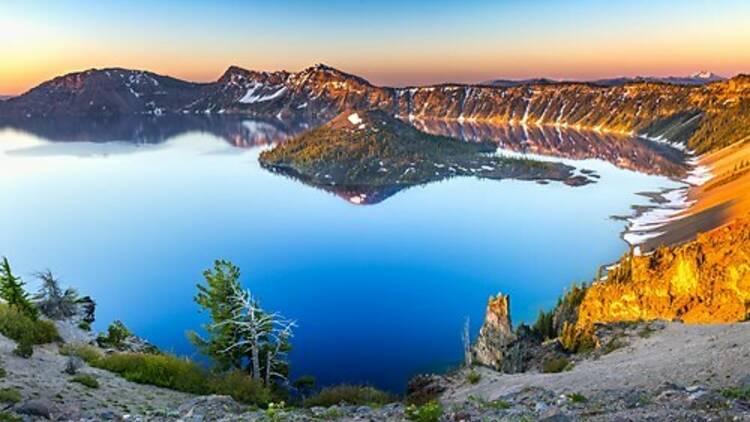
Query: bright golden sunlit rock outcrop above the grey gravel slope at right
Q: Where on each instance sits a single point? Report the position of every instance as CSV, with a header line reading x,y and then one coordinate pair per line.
x,y
704,281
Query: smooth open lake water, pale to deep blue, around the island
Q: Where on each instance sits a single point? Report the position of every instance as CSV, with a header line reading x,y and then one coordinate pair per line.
x,y
380,292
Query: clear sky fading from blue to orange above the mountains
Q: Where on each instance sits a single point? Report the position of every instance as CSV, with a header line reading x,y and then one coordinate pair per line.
x,y
389,42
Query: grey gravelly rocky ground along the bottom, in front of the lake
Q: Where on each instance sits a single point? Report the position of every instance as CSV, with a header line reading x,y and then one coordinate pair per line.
x,y
660,371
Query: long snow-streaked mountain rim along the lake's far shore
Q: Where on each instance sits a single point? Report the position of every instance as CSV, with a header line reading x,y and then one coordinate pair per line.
x,y
704,116
